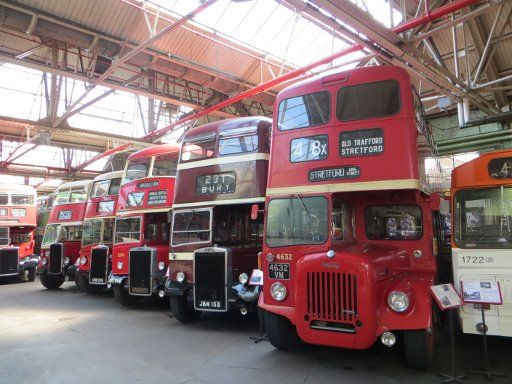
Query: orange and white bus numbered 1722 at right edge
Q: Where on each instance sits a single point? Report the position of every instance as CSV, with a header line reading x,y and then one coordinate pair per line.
x,y
481,196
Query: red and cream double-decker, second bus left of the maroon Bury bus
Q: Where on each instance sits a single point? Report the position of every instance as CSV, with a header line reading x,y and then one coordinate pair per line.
x,y
95,254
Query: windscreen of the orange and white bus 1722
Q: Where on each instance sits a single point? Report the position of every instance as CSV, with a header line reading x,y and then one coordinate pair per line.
x,y
483,218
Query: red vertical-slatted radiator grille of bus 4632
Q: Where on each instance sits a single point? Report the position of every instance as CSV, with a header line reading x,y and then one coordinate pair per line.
x,y
332,296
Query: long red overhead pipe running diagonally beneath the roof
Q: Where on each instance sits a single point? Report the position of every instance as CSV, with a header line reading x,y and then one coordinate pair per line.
x,y
415,22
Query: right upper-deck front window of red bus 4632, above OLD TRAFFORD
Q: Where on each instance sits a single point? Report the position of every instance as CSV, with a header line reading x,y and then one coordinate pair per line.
x,y
369,100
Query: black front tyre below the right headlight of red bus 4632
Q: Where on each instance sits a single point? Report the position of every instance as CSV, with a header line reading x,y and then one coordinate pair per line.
x,y
419,348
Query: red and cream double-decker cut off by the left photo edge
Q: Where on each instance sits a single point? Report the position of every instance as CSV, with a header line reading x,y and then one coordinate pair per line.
x,y
17,230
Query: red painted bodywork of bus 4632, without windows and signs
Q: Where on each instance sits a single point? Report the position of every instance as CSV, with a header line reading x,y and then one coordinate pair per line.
x,y
380,266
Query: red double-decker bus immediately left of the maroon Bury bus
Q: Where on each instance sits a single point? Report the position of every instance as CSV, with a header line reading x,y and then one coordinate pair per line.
x,y
140,253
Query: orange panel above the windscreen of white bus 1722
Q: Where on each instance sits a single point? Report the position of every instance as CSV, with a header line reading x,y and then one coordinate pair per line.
x,y
476,172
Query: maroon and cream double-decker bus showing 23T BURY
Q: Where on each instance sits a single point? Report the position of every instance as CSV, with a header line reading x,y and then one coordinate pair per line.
x,y
216,230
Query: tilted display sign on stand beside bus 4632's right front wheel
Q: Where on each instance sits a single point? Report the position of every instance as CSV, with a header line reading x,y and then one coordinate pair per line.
x,y
447,298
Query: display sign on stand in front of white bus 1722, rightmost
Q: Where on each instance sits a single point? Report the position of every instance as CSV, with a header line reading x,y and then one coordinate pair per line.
x,y
483,293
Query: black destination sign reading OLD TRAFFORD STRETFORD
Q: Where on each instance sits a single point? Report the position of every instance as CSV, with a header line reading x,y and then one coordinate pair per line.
x,y
364,142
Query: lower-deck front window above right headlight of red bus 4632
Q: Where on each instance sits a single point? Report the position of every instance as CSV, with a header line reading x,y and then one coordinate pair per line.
x,y
393,222
